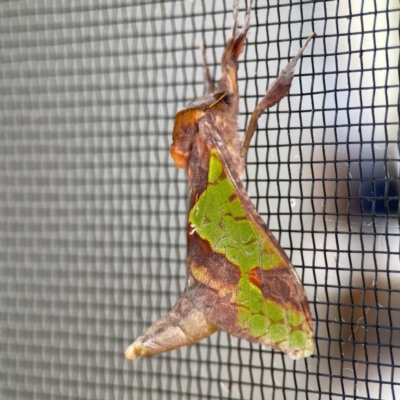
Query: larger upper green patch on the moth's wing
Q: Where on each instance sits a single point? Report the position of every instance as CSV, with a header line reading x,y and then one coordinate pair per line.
x,y
220,218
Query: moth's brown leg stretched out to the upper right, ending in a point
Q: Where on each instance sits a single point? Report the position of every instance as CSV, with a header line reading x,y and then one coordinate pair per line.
x,y
274,95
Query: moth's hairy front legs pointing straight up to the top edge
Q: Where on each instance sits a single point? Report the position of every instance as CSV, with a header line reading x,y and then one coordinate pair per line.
x,y
233,49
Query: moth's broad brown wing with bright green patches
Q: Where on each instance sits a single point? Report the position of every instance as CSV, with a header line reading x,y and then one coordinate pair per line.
x,y
238,275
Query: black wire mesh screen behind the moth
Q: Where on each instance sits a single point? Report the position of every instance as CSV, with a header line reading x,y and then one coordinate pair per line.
x,y
93,211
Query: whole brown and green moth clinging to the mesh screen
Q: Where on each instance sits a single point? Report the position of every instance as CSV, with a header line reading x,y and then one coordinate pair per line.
x,y
239,279
